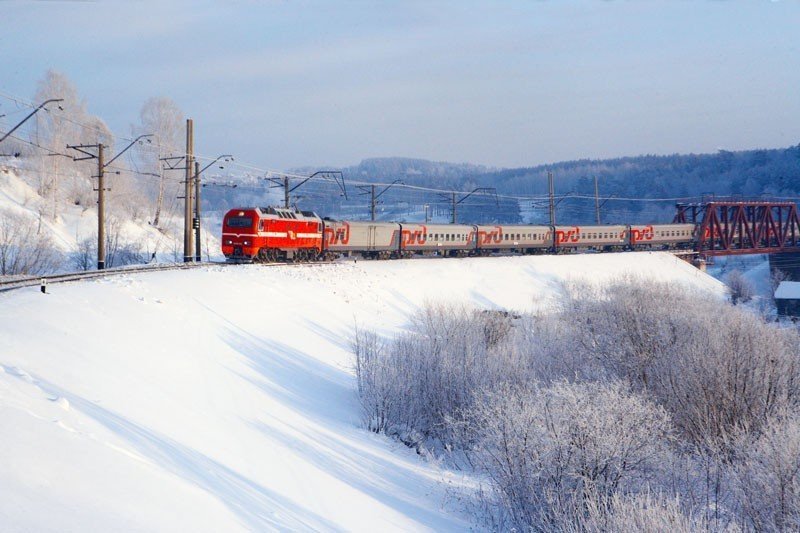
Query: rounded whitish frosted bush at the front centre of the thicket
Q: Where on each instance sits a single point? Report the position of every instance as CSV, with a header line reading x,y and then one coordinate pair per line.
x,y
548,452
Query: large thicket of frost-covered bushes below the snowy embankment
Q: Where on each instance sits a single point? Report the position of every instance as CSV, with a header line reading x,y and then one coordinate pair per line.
x,y
641,407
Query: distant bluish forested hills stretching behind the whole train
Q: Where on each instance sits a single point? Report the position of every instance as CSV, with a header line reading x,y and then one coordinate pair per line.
x,y
639,189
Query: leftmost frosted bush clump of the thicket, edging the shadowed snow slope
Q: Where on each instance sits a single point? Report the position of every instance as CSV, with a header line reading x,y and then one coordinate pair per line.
x,y
423,377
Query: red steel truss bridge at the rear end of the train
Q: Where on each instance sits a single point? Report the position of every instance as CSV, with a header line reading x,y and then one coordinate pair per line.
x,y
742,227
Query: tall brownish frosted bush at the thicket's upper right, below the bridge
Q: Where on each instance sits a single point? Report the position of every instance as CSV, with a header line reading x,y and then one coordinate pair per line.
x,y
717,369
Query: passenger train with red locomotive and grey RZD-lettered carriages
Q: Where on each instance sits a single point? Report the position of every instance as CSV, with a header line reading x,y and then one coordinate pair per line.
x,y
273,234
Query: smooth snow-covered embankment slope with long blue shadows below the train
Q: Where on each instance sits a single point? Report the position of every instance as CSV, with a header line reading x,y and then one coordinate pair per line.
x,y
222,399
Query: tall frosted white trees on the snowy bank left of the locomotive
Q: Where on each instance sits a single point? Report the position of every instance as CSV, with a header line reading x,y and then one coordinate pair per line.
x,y
139,192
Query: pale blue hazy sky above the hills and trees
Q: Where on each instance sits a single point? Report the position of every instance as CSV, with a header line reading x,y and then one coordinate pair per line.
x,y
287,84
